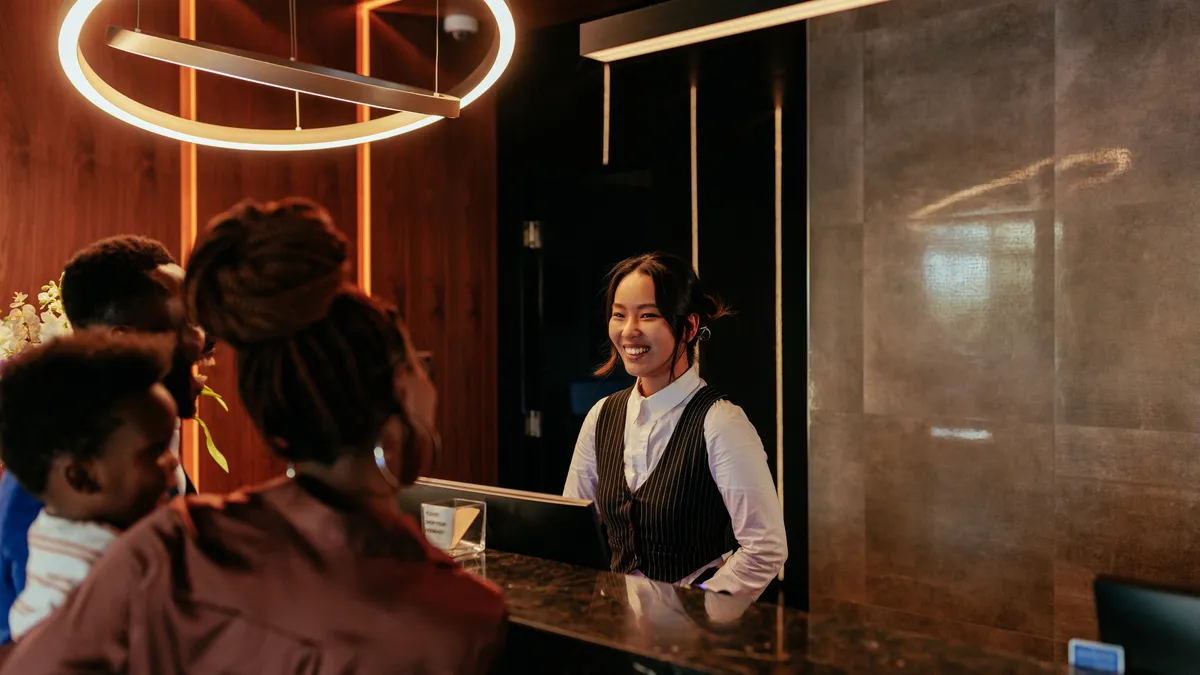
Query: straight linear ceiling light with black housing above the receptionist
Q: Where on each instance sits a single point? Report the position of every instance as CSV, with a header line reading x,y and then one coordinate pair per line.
x,y
687,22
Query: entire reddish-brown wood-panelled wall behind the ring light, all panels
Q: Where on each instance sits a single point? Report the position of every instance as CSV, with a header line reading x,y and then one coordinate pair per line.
x,y
71,175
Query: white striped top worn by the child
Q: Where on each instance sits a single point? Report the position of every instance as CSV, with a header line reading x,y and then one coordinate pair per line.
x,y
62,553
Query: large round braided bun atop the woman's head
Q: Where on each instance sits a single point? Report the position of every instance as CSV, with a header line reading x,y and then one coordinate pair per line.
x,y
266,272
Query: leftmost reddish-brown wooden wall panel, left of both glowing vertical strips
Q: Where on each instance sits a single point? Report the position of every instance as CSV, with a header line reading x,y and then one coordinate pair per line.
x,y
69,174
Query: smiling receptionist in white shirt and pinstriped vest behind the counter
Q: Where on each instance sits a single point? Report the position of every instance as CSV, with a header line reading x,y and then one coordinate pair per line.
x,y
679,474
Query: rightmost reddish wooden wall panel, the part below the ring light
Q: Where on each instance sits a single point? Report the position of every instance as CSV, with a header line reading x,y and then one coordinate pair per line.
x,y
434,254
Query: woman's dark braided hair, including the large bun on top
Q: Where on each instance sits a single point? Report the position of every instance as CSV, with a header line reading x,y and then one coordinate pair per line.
x,y
316,356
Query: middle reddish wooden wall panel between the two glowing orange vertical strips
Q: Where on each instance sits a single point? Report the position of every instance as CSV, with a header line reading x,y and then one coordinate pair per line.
x,y
224,177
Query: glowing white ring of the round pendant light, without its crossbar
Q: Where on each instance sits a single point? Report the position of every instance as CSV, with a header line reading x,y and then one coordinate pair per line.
x,y
133,112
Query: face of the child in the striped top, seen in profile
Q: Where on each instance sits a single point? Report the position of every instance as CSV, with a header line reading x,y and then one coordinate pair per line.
x,y
130,476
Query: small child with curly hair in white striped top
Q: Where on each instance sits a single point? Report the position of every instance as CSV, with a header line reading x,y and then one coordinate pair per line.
x,y
86,426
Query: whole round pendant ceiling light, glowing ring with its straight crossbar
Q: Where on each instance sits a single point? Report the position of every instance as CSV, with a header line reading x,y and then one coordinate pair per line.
x,y
267,70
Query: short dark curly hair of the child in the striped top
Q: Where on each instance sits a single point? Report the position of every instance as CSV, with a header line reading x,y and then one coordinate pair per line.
x,y
58,399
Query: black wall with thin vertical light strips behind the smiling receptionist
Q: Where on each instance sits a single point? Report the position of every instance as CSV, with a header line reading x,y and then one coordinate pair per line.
x,y
592,216
